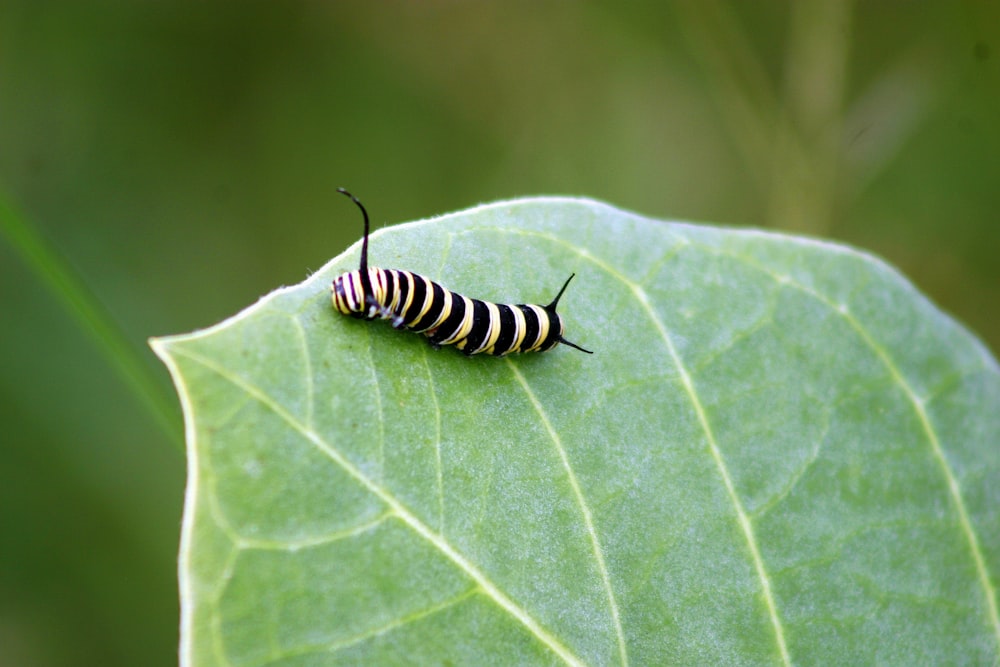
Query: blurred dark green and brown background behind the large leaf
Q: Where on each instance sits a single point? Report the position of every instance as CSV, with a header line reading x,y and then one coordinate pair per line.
x,y
179,160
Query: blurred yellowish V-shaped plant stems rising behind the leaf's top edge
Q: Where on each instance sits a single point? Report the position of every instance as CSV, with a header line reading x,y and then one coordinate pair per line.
x,y
789,139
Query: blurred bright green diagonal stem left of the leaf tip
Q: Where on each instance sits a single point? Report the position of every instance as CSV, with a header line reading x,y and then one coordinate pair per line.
x,y
85,309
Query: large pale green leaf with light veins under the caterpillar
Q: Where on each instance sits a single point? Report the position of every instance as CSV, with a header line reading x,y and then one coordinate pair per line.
x,y
779,453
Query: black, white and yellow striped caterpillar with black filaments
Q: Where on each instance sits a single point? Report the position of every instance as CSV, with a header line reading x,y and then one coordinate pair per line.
x,y
445,317
